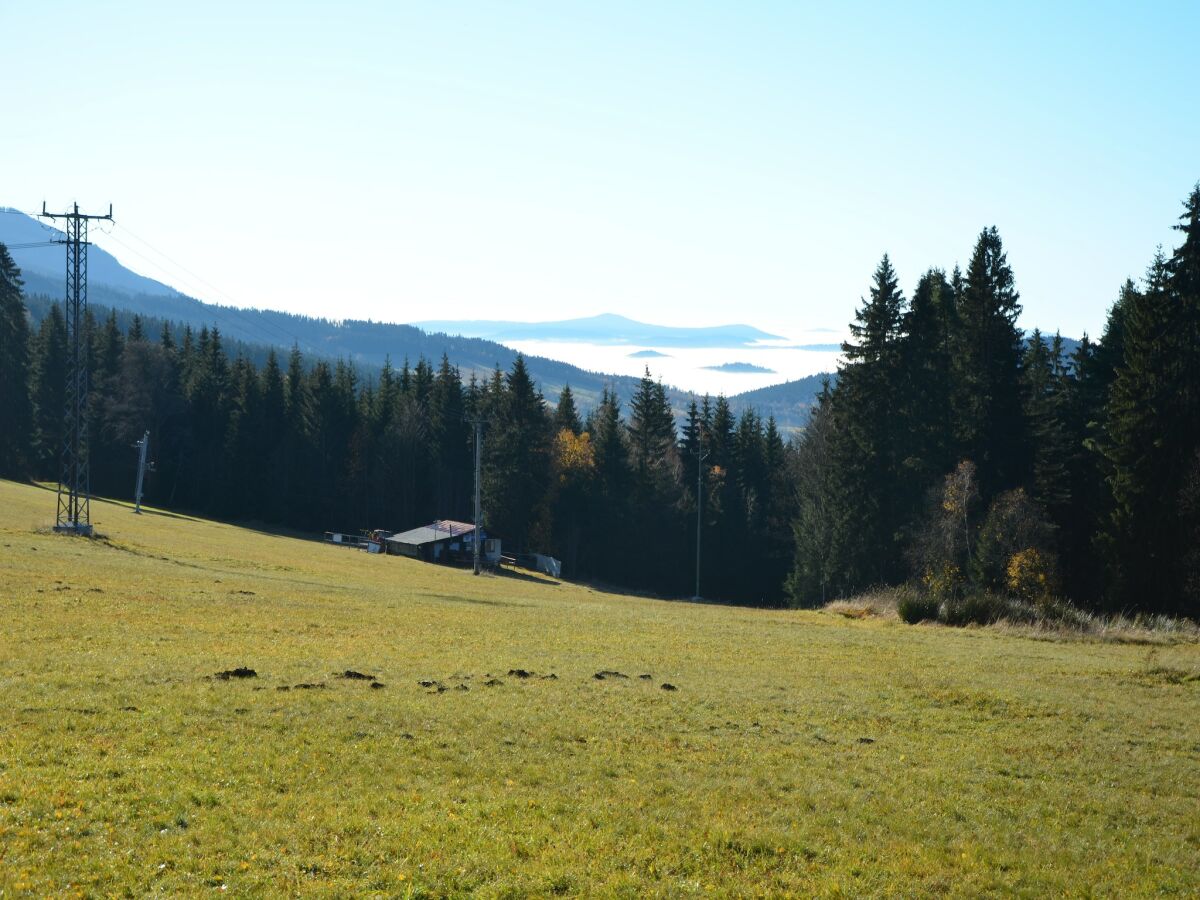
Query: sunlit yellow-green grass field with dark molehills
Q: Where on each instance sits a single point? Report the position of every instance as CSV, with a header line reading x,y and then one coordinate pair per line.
x,y
801,753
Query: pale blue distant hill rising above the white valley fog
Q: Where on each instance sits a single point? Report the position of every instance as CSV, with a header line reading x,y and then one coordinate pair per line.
x,y
607,328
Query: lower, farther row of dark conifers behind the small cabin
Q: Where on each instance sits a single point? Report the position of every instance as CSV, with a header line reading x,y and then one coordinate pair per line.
x,y
320,448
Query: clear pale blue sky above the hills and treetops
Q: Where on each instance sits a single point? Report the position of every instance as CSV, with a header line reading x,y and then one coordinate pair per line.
x,y
682,164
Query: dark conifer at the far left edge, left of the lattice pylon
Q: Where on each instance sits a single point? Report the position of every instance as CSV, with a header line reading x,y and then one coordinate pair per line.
x,y
16,410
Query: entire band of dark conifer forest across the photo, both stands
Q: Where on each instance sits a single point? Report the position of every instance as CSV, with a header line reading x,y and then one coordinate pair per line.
x,y
953,452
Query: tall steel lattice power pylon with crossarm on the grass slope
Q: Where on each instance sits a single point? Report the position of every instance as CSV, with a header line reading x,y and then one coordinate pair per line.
x,y
75,481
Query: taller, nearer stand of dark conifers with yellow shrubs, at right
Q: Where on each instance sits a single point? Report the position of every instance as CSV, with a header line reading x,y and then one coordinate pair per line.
x,y
963,459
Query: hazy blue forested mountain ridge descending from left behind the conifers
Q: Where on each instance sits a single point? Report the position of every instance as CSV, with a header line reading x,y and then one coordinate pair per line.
x,y
254,332
